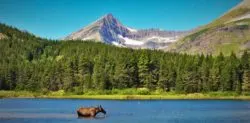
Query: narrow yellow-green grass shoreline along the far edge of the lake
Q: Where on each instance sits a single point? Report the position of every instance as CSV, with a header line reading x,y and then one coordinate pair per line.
x,y
193,96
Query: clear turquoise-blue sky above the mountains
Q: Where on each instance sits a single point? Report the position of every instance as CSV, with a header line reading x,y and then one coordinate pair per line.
x,y
55,19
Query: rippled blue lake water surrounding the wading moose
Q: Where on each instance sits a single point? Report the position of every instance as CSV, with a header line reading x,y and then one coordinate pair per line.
x,y
130,111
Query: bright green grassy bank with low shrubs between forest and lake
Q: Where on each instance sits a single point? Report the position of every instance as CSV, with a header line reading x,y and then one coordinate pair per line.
x,y
163,96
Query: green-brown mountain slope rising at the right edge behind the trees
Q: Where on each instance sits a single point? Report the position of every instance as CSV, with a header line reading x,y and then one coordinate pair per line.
x,y
230,32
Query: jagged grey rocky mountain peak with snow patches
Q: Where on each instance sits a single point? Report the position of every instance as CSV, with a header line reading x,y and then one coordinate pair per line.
x,y
109,30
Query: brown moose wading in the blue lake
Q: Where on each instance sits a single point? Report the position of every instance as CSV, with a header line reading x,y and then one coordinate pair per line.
x,y
90,112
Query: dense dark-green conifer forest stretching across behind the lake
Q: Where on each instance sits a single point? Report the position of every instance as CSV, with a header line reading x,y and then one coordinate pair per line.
x,y
30,63
